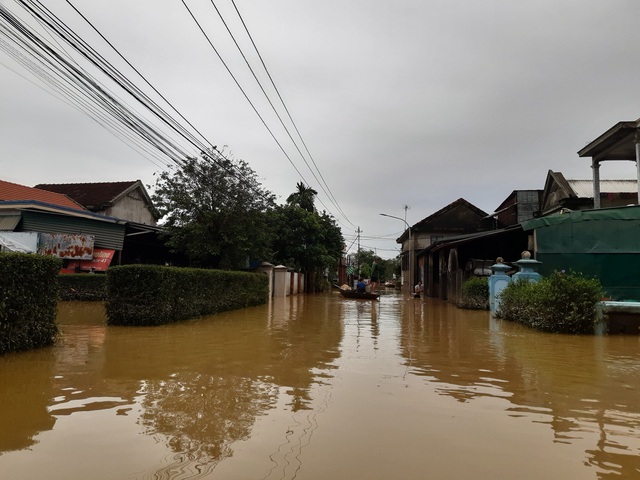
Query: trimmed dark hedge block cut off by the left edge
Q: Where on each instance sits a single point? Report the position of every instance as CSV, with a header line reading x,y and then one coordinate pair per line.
x,y
28,301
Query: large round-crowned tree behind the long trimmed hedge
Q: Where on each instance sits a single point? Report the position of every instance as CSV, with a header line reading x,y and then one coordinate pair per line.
x,y
215,211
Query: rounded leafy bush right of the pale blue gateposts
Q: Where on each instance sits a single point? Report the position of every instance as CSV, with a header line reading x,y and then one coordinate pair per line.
x,y
561,303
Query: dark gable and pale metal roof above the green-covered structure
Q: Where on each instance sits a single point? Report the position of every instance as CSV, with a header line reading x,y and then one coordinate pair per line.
x,y
561,194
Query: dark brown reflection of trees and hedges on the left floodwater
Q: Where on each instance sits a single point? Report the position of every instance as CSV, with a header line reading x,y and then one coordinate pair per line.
x,y
201,384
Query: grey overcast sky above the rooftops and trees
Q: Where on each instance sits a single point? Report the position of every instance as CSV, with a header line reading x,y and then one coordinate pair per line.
x,y
403,102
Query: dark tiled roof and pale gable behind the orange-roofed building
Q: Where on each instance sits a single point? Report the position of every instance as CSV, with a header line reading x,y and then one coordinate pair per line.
x,y
125,200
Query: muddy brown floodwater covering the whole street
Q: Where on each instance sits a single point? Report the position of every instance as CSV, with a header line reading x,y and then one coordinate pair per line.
x,y
320,387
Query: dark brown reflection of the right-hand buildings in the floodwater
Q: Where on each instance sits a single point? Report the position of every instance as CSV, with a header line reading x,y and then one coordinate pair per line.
x,y
583,387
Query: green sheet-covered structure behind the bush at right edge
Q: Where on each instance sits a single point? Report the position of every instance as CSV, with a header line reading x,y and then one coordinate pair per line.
x,y
603,243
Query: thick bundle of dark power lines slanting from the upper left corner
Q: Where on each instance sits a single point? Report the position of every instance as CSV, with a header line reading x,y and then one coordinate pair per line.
x,y
129,124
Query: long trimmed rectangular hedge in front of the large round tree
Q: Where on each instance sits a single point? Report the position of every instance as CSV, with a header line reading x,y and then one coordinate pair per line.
x,y
155,295
